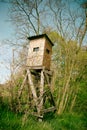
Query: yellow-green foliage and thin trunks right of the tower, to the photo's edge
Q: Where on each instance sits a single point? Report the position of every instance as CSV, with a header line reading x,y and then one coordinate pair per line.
x,y
70,79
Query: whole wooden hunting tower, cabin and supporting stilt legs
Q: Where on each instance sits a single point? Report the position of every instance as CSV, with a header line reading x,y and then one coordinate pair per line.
x,y
39,76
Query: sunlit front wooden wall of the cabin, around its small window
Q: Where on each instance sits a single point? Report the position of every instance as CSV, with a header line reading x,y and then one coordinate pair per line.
x,y
36,58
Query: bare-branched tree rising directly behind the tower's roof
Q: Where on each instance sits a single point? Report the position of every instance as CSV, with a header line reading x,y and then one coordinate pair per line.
x,y
27,15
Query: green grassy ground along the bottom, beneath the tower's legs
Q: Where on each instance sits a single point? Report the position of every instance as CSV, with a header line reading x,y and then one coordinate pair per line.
x,y
68,121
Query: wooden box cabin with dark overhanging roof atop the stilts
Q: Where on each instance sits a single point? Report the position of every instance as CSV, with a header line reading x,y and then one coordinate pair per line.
x,y
39,53
